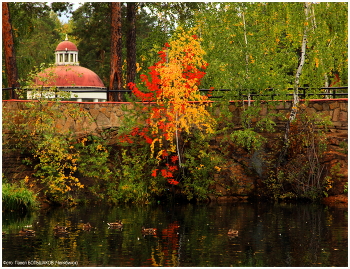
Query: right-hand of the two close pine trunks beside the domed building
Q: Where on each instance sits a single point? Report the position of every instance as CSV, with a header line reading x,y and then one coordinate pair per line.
x,y
131,42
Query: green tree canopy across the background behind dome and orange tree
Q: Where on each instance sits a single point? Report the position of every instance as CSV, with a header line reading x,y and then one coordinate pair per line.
x,y
247,45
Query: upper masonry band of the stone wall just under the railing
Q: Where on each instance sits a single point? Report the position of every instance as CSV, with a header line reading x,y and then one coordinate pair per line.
x,y
106,115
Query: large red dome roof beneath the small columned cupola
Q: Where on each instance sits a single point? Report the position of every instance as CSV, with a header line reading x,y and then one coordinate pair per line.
x,y
68,76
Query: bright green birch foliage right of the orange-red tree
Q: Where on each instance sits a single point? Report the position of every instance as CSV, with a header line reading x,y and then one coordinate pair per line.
x,y
271,35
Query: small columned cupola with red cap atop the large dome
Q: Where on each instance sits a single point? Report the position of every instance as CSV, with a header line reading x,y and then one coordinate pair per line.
x,y
66,53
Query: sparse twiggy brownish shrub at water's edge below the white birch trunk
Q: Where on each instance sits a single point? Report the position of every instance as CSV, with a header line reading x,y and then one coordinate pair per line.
x,y
301,175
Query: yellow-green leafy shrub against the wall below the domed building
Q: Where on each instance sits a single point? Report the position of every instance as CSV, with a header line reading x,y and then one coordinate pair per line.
x,y
33,132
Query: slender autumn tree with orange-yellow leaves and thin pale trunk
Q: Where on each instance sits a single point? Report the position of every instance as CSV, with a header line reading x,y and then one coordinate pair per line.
x,y
173,84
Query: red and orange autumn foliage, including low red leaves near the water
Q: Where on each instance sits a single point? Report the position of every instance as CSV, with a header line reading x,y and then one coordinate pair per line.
x,y
171,83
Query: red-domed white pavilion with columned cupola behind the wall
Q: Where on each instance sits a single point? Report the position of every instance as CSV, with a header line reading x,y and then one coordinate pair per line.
x,y
66,74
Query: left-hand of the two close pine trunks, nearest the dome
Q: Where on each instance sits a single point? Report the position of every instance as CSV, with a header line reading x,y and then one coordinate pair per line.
x,y
116,79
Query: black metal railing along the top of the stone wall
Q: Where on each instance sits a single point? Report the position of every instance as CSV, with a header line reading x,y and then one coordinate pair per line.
x,y
304,92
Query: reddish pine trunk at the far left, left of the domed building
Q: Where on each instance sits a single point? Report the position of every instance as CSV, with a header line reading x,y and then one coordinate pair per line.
x,y
9,50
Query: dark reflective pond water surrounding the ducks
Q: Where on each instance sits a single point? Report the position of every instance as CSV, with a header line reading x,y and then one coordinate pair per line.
x,y
187,235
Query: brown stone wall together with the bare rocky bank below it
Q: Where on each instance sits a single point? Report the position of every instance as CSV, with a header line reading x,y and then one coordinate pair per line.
x,y
110,115
